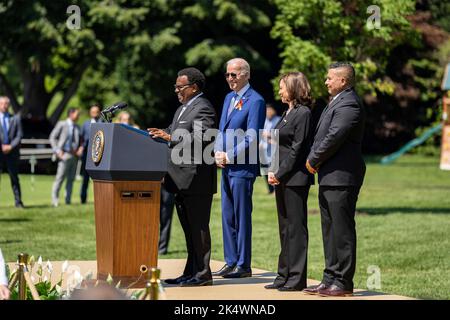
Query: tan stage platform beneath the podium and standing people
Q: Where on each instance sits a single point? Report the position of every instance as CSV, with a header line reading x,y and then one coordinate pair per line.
x,y
223,289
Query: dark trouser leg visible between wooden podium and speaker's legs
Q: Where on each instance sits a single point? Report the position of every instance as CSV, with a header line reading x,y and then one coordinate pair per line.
x,y
166,213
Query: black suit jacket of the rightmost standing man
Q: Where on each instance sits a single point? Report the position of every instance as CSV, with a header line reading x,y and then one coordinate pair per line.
x,y
336,150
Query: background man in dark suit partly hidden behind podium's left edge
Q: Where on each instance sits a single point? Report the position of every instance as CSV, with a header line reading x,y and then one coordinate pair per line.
x,y
94,113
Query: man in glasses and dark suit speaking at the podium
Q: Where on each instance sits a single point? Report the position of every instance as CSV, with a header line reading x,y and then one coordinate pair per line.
x,y
191,179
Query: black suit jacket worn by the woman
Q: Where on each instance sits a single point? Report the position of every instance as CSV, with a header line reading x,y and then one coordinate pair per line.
x,y
294,138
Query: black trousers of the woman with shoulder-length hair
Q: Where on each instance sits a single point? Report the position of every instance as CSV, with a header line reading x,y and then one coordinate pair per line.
x,y
293,227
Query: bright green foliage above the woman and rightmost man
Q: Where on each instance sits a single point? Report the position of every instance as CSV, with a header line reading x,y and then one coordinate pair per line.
x,y
314,33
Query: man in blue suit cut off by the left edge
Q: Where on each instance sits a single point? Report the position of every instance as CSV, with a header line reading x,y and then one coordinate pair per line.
x,y
10,136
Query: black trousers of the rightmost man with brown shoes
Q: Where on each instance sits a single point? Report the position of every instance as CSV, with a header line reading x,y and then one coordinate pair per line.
x,y
337,209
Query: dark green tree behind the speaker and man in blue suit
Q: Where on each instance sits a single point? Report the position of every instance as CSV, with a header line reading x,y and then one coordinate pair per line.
x,y
204,34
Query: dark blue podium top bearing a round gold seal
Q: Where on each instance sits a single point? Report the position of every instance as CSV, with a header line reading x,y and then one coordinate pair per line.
x,y
118,152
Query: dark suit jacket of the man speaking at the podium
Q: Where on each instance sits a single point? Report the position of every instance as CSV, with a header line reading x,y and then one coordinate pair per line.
x,y
193,176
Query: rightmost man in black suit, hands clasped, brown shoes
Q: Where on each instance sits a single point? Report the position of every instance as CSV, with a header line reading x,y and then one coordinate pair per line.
x,y
336,156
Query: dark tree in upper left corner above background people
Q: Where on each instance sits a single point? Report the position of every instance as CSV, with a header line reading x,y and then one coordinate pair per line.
x,y
51,58
